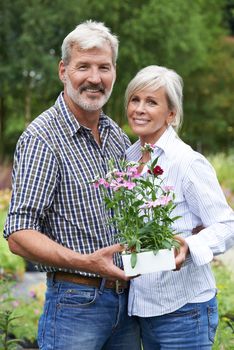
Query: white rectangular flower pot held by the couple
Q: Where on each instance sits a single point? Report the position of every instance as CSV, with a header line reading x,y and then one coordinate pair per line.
x,y
148,262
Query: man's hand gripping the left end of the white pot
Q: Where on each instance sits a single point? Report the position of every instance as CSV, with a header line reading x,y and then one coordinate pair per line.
x,y
101,262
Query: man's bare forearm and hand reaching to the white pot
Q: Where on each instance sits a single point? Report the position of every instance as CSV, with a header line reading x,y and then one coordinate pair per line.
x,y
37,247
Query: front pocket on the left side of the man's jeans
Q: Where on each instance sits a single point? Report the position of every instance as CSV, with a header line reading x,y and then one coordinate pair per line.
x,y
78,298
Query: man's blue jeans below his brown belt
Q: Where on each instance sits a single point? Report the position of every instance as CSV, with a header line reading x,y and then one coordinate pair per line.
x,y
79,317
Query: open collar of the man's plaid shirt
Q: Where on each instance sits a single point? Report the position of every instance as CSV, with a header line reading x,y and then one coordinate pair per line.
x,y
70,121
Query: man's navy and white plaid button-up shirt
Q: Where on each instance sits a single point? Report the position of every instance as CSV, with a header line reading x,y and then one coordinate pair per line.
x,y
55,161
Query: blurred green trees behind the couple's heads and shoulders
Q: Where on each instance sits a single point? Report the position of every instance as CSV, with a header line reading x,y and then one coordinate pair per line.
x,y
193,37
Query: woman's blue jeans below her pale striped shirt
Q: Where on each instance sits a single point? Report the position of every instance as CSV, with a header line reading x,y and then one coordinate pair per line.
x,y
191,327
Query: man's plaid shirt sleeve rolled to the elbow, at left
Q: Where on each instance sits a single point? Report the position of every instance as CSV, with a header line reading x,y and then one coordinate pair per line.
x,y
34,179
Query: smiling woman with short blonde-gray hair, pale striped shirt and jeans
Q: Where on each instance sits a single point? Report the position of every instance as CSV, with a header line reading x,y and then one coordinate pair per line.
x,y
177,309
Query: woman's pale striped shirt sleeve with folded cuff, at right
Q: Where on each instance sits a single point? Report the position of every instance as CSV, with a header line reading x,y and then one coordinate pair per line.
x,y
207,201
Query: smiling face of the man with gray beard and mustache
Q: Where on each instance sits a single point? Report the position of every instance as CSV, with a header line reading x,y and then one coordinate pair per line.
x,y
89,77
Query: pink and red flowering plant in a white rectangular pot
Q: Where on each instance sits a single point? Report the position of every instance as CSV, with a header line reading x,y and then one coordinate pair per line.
x,y
142,208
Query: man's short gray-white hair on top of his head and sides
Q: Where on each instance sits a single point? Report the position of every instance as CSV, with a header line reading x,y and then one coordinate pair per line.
x,y
89,35
